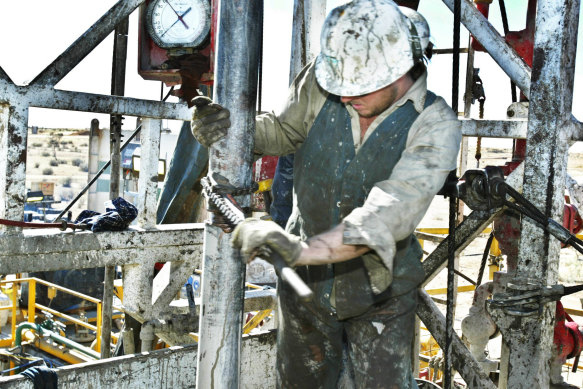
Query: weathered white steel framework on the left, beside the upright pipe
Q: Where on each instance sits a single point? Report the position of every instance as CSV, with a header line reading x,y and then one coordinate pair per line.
x,y
39,251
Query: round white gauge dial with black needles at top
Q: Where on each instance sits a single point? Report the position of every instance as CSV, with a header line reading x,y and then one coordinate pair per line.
x,y
178,23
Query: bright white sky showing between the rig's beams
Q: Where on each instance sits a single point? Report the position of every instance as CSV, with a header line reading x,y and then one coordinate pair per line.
x,y
26,50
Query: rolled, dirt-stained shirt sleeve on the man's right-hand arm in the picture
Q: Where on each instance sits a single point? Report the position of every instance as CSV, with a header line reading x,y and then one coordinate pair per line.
x,y
394,207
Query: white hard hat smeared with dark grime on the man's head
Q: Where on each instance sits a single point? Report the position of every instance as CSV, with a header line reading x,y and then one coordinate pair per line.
x,y
365,46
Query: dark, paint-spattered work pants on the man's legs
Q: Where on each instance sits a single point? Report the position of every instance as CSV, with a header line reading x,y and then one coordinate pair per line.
x,y
310,344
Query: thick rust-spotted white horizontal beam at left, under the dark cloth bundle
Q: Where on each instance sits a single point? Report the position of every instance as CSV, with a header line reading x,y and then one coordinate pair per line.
x,y
54,250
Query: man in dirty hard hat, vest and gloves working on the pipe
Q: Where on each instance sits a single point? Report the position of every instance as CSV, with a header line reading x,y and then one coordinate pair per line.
x,y
372,148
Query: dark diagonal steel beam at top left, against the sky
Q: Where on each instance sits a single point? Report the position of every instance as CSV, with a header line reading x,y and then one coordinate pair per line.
x,y
65,62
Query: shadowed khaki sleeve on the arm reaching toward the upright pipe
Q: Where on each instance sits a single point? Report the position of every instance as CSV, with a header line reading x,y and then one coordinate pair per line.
x,y
284,132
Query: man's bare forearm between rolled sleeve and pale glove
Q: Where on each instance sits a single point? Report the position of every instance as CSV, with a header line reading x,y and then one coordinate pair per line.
x,y
328,248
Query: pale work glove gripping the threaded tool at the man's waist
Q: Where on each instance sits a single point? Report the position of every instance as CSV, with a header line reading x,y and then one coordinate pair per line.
x,y
254,235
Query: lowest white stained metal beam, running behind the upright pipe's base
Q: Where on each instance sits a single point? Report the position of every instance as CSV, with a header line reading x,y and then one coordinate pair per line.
x,y
168,368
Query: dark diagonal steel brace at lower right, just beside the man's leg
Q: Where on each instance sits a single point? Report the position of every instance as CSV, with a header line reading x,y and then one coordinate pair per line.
x,y
463,361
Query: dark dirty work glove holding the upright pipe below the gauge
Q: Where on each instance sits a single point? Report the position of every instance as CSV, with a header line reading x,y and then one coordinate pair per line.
x,y
210,121
